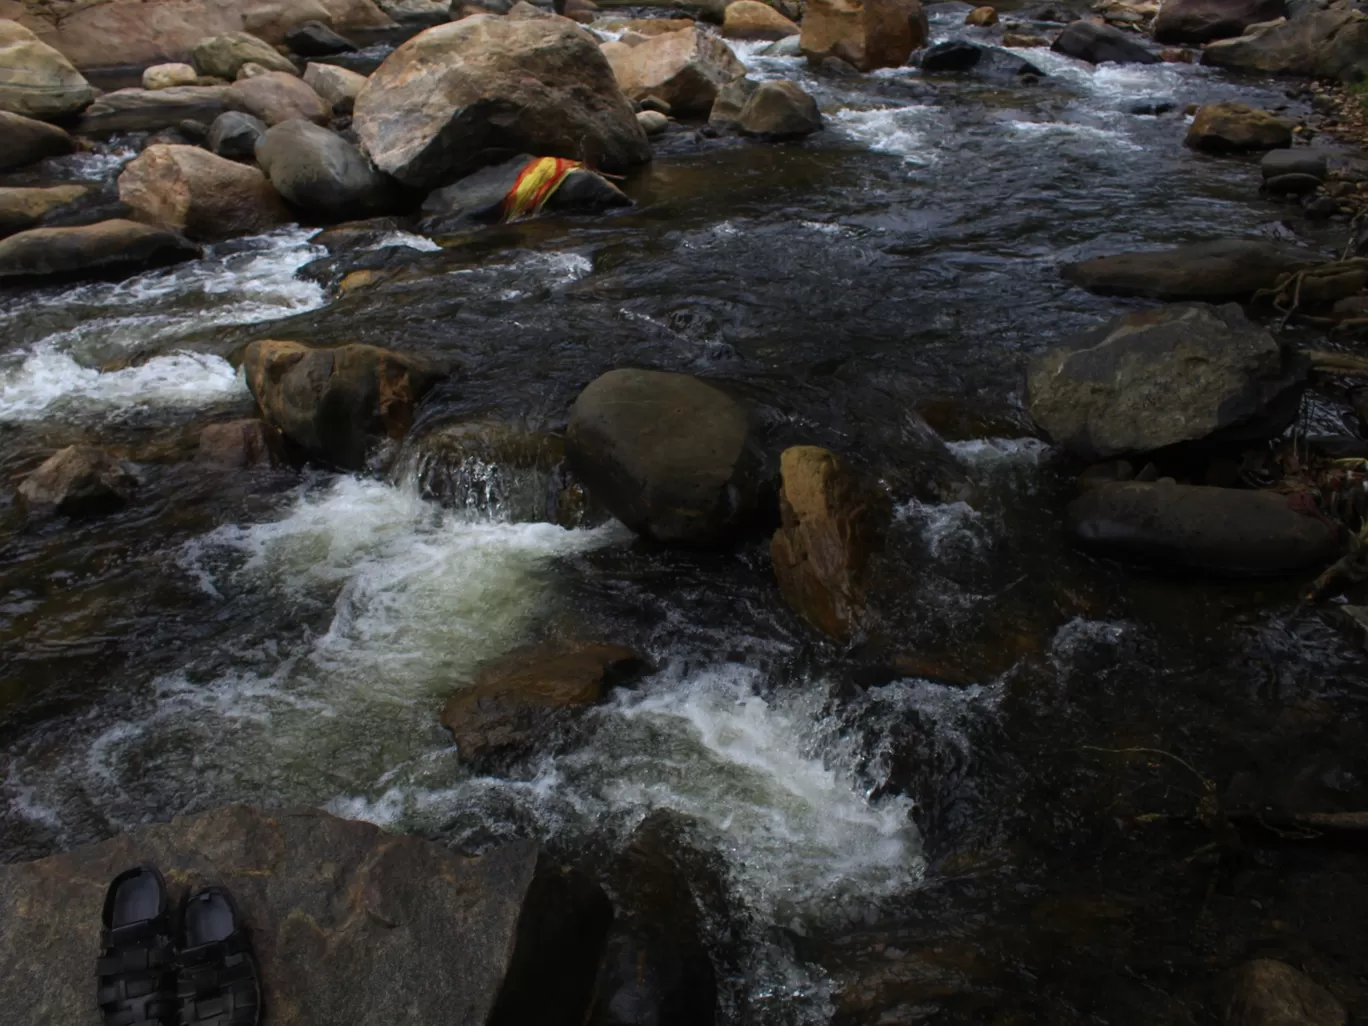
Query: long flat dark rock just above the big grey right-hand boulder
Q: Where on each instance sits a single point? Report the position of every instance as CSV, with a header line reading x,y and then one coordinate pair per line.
x,y
1217,272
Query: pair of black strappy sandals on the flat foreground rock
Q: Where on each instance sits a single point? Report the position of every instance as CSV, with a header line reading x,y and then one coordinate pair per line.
x,y
198,971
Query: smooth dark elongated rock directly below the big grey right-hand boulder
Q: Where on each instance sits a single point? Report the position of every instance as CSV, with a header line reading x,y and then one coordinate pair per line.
x,y
1221,530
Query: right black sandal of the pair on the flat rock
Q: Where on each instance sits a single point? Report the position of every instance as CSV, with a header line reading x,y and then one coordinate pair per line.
x,y
218,982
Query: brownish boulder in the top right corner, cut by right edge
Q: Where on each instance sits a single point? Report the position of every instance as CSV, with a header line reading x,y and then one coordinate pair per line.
x,y
1319,44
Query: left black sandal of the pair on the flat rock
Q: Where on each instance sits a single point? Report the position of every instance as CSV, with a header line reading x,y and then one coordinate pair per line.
x,y
137,962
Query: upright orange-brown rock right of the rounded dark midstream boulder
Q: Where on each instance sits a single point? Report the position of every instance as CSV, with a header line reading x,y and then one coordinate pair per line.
x,y
834,526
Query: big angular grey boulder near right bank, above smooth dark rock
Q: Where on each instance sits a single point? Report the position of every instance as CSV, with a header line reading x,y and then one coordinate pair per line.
x,y
1158,378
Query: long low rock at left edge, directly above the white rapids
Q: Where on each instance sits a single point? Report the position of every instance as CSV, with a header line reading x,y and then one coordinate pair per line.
x,y
124,246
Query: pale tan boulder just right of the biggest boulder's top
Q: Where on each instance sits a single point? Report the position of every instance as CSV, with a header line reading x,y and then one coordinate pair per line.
x,y
685,69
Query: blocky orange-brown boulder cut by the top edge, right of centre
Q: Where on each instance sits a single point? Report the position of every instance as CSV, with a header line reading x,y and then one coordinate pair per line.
x,y
865,34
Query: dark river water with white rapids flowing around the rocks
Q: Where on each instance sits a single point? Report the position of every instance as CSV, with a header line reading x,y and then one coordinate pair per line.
x,y
920,827
